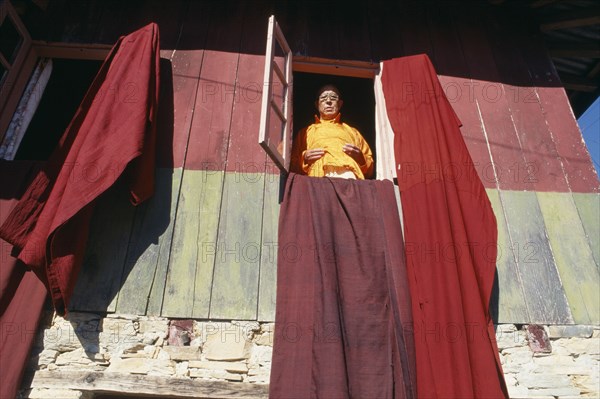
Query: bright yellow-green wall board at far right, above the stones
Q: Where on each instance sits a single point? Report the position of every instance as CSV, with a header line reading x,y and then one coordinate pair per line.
x,y
574,258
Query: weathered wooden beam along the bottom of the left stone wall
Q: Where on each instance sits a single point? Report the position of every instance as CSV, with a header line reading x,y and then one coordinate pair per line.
x,y
135,384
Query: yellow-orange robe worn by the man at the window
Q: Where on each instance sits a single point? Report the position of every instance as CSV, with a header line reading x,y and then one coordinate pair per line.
x,y
331,135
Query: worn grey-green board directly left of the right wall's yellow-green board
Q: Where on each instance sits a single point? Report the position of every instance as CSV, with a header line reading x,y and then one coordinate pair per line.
x,y
543,290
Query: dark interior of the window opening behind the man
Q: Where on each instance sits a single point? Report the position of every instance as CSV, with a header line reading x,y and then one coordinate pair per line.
x,y
358,110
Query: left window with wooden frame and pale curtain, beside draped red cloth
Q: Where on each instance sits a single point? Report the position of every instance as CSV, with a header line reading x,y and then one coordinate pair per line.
x,y
41,86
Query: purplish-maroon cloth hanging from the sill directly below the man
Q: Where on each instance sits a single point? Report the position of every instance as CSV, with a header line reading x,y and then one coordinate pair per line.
x,y
343,325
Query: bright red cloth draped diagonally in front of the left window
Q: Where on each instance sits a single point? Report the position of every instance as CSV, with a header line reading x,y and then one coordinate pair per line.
x,y
111,135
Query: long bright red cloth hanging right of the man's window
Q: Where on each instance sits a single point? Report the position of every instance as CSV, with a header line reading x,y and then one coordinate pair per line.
x,y
450,238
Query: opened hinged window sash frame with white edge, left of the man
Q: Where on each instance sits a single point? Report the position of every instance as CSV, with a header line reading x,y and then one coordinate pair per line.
x,y
275,33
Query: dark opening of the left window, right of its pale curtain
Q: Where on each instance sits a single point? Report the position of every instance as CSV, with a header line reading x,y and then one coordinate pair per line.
x,y
66,87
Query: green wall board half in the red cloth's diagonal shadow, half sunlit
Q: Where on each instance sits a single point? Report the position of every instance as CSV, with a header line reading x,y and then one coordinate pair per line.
x,y
148,253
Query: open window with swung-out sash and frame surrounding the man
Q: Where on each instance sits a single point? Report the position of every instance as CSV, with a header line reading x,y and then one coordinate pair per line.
x,y
359,81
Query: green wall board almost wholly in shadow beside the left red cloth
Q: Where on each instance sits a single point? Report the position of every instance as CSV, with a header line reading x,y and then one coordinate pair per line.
x,y
99,281
